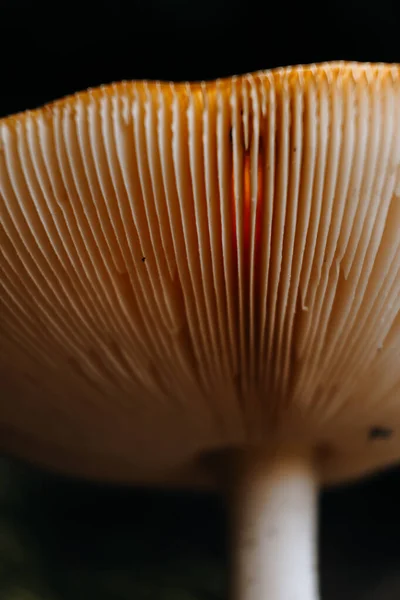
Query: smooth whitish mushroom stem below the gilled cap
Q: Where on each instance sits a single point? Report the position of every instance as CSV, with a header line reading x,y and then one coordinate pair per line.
x,y
275,529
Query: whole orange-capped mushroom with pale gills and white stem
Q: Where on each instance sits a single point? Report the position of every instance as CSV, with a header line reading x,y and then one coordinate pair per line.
x,y
200,287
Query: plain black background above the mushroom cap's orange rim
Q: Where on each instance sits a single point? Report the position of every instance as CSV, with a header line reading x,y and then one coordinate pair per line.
x,y
50,49
